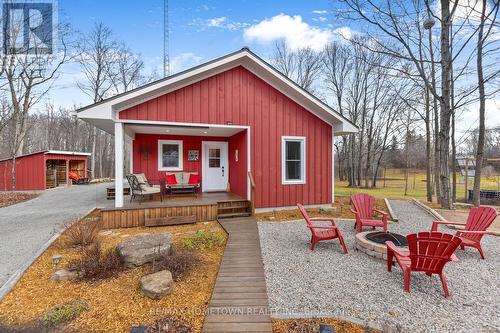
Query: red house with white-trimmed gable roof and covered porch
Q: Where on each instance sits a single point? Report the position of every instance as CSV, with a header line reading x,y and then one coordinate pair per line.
x,y
228,118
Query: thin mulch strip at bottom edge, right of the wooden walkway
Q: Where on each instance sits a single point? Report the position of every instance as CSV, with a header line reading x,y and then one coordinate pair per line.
x,y
312,326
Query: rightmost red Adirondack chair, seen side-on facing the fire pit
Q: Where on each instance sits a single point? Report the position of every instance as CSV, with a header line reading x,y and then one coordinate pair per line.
x,y
479,219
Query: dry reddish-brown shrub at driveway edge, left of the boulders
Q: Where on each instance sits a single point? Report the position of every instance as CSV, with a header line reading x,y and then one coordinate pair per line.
x,y
82,232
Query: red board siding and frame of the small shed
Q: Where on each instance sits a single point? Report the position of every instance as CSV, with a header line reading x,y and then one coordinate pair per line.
x,y
30,170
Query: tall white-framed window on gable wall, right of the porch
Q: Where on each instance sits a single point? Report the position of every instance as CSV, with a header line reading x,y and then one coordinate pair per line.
x,y
293,159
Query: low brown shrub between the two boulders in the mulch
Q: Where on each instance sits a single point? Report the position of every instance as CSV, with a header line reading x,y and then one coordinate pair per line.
x,y
179,264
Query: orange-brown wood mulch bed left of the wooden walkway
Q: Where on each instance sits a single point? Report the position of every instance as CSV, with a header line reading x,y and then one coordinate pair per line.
x,y
115,304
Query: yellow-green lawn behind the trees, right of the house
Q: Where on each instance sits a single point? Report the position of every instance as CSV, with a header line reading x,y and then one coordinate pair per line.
x,y
394,186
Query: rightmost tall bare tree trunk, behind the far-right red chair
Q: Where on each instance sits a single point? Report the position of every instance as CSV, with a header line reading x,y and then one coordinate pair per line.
x,y
482,100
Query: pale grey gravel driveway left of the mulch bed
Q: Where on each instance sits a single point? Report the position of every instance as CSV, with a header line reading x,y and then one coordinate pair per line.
x,y
29,227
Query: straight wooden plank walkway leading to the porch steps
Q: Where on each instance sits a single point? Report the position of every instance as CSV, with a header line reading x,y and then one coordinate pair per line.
x,y
239,301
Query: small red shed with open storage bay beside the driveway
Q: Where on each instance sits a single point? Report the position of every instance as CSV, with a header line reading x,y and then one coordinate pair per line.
x,y
42,170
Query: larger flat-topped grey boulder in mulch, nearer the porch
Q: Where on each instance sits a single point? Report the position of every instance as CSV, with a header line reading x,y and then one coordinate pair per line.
x,y
144,248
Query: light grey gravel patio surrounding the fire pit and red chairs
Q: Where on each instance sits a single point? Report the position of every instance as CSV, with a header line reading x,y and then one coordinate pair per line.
x,y
302,283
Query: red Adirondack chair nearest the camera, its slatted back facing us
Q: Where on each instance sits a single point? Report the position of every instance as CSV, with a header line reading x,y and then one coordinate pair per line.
x,y
428,252
